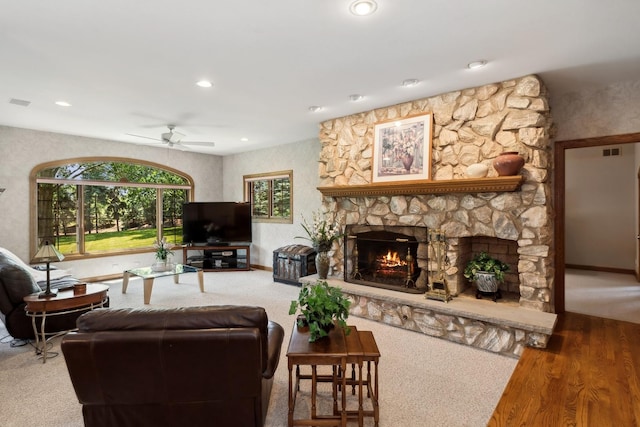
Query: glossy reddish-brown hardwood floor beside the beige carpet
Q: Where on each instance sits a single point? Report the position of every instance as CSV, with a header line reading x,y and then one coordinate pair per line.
x,y
589,375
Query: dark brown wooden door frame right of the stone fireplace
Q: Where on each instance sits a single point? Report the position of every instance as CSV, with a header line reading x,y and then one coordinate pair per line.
x,y
559,203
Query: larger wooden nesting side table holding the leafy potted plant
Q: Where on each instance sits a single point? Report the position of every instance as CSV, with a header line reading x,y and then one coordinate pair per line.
x,y
328,351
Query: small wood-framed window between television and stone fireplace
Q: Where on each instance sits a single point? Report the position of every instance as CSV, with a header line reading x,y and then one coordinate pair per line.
x,y
270,196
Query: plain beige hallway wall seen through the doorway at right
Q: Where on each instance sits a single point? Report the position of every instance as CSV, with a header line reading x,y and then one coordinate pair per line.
x,y
600,207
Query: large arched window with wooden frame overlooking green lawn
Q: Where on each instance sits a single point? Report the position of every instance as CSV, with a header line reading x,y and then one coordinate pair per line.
x,y
99,206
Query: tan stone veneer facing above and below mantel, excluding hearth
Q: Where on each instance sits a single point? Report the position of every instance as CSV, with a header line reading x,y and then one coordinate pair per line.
x,y
470,126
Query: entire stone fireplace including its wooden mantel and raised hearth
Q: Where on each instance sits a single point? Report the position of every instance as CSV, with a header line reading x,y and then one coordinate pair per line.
x,y
510,217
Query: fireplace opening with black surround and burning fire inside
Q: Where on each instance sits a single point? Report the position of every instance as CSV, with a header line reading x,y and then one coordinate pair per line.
x,y
386,256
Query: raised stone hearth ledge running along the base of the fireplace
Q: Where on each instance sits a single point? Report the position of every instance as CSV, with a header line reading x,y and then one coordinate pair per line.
x,y
506,328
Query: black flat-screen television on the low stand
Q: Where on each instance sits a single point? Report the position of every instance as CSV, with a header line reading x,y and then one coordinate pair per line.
x,y
216,223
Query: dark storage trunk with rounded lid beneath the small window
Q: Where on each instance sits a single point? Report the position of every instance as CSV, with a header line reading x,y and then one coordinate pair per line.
x,y
292,262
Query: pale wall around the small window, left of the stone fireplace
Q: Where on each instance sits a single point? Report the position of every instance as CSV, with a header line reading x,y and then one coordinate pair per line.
x,y
301,157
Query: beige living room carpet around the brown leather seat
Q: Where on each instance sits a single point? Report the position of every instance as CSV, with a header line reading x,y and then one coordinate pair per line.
x,y
424,381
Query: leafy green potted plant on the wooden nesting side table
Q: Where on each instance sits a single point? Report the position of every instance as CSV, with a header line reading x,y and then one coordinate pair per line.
x,y
322,307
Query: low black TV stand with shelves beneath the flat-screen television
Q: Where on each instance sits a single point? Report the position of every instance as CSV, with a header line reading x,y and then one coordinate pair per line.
x,y
218,258
